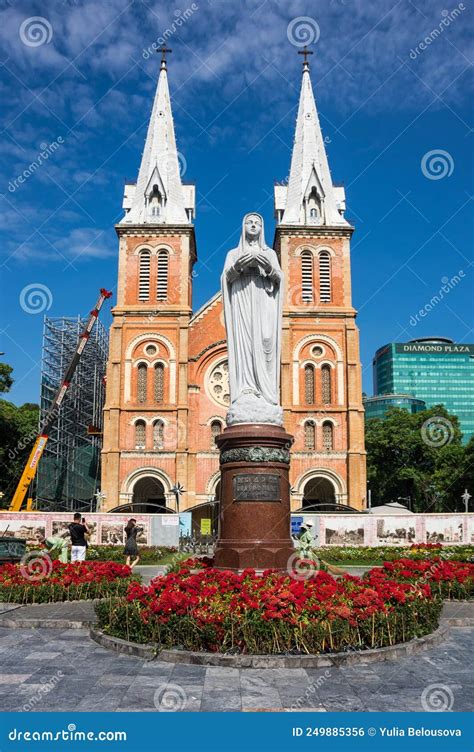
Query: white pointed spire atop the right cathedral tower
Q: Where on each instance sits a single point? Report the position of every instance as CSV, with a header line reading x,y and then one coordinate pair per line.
x,y
310,198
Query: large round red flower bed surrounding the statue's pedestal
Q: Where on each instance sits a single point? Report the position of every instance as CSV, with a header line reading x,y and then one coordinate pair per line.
x,y
217,610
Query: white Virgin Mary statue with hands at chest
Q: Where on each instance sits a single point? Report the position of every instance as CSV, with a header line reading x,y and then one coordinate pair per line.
x,y
251,289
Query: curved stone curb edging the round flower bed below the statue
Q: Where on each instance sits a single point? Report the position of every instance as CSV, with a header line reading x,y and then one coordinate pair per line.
x,y
393,652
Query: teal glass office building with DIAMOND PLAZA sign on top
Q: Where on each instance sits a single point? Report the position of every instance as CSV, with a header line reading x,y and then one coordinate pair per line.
x,y
435,370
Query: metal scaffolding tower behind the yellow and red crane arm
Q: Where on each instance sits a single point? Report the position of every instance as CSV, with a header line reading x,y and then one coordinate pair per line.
x,y
69,471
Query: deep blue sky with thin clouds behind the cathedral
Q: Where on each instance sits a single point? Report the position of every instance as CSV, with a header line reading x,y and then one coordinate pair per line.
x,y
78,82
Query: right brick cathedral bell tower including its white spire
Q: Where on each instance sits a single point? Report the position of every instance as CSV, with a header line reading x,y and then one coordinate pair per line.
x,y
321,371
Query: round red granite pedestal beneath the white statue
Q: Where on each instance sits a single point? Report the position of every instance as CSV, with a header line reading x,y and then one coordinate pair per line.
x,y
255,498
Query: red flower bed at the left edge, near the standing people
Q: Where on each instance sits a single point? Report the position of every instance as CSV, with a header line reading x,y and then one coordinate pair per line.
x,y
40,580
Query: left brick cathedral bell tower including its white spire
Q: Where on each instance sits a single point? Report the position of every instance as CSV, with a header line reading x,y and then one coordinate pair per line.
x,y
145,417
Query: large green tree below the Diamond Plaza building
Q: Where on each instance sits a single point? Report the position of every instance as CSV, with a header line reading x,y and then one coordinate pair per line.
x,y
415,456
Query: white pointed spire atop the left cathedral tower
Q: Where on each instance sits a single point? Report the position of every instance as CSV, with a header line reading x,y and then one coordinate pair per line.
x,y
159,197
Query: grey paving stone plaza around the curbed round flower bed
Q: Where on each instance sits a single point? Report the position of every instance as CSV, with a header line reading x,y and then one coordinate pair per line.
x,y
58,669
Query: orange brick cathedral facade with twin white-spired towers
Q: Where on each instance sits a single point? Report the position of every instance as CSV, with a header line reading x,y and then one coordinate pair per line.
x,y
167,380
